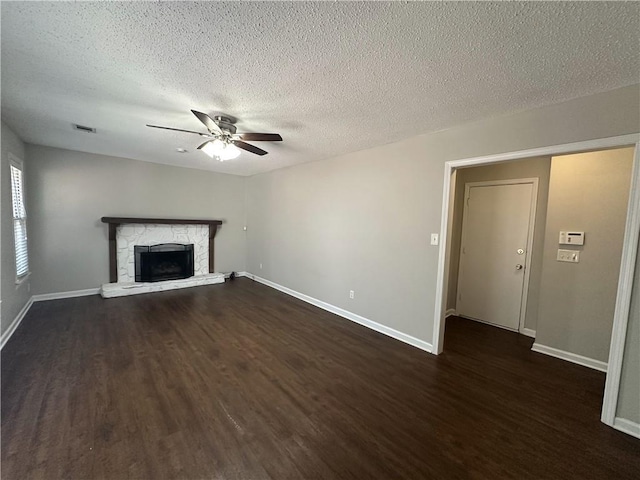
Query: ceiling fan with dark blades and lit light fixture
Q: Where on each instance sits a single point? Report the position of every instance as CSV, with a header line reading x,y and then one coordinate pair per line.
x,y
223,142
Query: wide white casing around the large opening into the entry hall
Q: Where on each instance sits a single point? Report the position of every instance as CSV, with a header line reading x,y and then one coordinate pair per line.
x,y
629,251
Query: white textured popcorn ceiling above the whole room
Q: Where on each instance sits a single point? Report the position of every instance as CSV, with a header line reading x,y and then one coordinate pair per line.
x,y
331,78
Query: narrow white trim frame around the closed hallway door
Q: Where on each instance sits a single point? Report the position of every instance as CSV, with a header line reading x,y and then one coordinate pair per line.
x,y
530,233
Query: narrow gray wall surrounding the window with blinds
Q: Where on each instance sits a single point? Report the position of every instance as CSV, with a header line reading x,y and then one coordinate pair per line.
x,y
13,297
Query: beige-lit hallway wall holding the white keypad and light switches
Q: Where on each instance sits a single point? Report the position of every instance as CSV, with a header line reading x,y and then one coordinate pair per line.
x,y
587,192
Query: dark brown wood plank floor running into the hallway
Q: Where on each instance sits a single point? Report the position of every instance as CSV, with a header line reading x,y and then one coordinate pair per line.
x,y
239,381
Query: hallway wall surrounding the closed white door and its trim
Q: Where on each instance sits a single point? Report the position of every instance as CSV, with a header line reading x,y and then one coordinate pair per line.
x,y
530,168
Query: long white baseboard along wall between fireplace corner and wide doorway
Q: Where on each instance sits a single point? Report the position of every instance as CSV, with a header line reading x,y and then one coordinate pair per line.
x,y
403,337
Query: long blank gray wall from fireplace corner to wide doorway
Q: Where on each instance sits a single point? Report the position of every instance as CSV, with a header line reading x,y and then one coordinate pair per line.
x,y
358,223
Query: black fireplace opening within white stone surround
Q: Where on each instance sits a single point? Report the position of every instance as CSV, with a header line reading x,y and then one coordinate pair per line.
x,y
167,261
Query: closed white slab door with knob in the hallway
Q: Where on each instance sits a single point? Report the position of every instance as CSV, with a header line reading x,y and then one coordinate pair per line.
x,y
494,250
